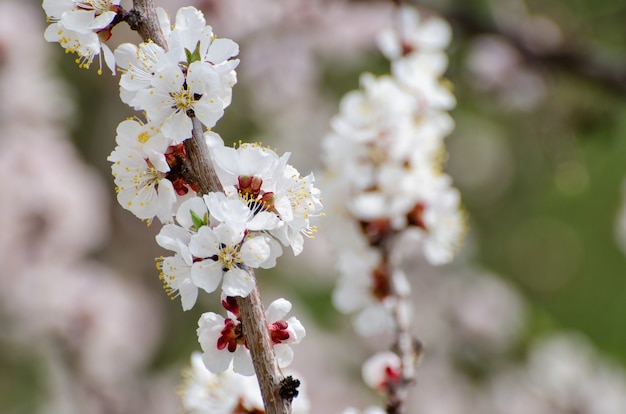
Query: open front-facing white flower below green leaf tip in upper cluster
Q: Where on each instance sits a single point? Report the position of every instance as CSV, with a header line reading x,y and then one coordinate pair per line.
x,y
175,96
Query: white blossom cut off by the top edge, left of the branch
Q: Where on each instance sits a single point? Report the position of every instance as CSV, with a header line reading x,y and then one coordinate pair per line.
x,y
81,27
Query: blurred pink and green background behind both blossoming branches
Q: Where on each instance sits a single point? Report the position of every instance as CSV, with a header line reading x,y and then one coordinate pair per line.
x,y
530,318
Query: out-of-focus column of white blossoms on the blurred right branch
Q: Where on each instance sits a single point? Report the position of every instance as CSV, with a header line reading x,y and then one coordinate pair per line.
x,y
383,167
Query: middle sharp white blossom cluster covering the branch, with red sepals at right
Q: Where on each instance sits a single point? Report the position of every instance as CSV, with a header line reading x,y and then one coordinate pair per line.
x,y
218,237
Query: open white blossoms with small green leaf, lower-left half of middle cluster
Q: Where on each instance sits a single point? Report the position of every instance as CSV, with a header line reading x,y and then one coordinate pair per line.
x,y
223,239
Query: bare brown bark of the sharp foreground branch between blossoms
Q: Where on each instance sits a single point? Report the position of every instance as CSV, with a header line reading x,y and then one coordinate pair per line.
x,y
202,174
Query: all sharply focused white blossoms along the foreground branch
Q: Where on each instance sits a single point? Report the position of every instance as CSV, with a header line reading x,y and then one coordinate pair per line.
x,y
182,87
